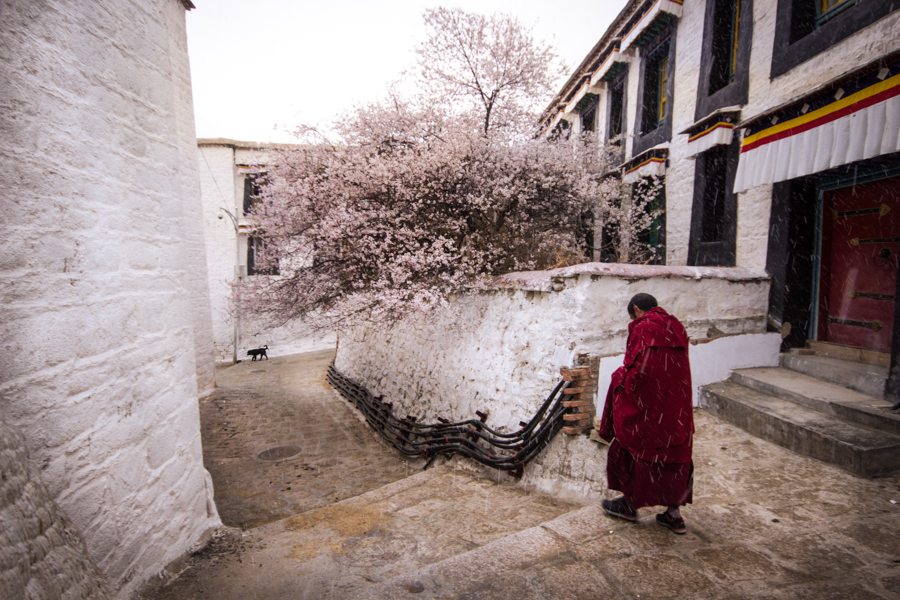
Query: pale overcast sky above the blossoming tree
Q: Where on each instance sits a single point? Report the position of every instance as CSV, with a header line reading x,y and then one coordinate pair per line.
x,y
259,68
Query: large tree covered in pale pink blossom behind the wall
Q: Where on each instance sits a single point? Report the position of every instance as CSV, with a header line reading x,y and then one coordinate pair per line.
x,y
407,203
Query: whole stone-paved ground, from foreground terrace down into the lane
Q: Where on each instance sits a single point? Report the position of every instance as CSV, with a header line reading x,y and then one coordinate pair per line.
x,y
765,523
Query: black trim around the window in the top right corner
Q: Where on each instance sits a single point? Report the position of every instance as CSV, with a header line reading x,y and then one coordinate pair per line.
x,y
787,55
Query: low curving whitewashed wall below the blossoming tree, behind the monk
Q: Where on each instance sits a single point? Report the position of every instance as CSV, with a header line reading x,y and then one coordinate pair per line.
x,y
502,350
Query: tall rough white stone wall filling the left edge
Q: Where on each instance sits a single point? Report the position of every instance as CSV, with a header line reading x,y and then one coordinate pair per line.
x,y
103,327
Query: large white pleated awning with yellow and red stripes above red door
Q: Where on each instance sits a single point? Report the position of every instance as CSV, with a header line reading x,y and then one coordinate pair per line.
x,y
858,120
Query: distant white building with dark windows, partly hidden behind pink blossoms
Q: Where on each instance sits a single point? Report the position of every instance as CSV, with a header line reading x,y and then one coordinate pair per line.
x,y
231,173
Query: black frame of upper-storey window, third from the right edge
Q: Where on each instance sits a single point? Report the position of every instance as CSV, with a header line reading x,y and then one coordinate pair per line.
x,y
644,140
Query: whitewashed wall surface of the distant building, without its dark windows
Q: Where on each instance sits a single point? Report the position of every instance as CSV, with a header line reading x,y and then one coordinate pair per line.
x,y
222,186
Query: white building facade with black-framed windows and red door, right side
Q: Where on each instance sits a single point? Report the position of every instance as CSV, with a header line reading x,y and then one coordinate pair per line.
x,y
775,127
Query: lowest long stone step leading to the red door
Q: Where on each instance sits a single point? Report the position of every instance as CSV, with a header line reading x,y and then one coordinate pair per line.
x,y
861,450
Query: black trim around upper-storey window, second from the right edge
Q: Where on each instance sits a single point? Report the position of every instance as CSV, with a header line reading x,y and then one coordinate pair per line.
x,y
735,93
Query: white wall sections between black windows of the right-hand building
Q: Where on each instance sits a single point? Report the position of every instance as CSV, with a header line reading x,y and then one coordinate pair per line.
x,y
764,93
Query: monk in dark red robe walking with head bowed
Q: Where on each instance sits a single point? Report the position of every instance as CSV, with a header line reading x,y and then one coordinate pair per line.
x,y
649,420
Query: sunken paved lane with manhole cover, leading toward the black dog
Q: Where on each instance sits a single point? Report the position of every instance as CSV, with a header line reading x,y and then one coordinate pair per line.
x,y
285,401
